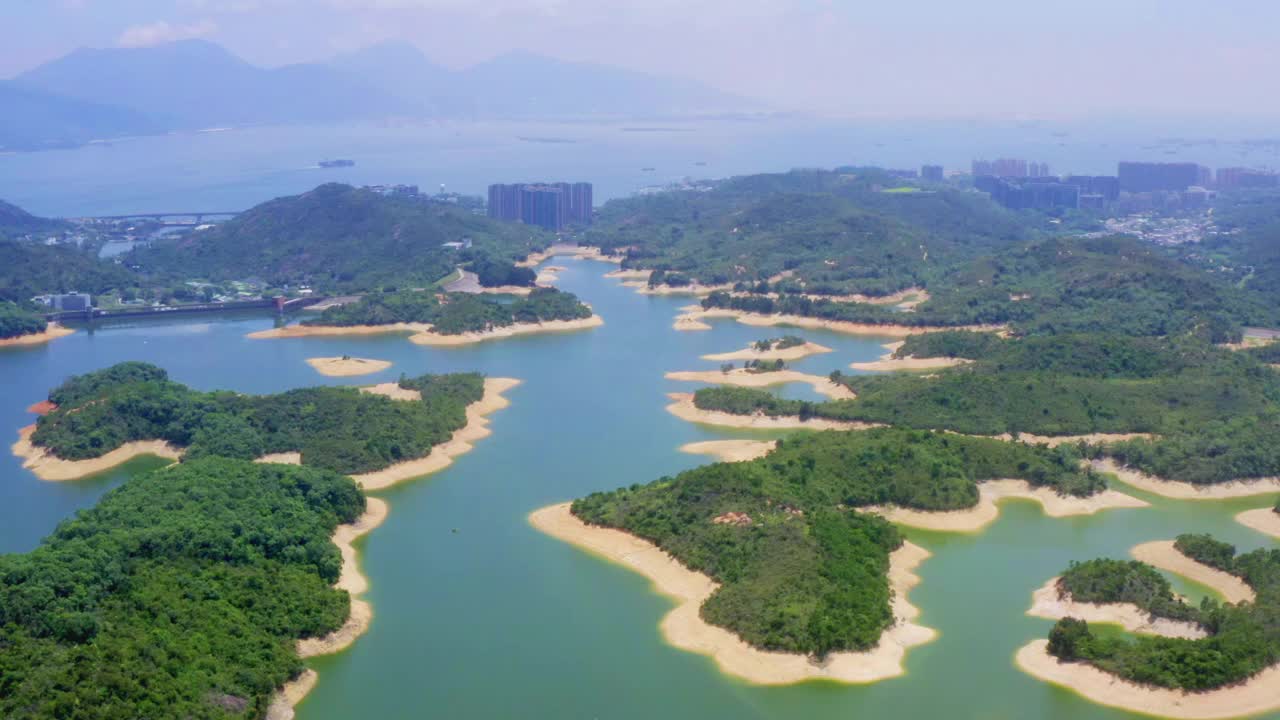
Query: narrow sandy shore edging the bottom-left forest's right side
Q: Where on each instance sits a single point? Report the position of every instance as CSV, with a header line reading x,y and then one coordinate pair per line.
x,y
358,623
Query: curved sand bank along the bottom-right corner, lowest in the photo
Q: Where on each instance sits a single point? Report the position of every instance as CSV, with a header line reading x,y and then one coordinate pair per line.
x,y
1256,696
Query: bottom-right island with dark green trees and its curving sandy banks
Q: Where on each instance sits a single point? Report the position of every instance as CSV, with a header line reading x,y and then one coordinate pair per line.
x,y
1227,668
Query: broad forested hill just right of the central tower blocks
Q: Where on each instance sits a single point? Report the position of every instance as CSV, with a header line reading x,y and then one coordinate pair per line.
x,y
834,230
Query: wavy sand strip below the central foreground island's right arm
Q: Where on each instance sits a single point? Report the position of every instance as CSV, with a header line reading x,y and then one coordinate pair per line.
x,y
990,494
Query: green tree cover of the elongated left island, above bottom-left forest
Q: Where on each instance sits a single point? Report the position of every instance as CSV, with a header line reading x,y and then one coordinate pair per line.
x,y
333,429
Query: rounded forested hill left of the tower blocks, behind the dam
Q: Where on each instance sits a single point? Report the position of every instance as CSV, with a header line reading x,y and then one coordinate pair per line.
x,y
341,239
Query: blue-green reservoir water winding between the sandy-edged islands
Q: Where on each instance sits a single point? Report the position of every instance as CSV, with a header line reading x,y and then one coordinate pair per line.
x,y
497,621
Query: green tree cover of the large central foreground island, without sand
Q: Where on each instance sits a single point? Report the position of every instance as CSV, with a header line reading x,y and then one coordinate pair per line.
x,y
798,568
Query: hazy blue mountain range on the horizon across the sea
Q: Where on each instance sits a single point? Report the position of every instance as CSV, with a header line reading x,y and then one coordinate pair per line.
x,y
94,94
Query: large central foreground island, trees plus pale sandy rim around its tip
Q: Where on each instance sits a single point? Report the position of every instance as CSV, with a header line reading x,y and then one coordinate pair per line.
x,y
780,575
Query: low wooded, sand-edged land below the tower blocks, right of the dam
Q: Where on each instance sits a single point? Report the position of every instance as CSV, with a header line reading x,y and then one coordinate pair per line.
x,y
455,318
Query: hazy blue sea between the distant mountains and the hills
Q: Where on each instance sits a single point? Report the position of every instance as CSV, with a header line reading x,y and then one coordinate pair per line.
x,y
240,168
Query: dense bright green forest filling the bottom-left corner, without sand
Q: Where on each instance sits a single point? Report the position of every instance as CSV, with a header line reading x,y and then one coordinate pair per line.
x,y
193,612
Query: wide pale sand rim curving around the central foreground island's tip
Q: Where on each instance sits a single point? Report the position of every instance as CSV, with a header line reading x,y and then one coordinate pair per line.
x,y
685,630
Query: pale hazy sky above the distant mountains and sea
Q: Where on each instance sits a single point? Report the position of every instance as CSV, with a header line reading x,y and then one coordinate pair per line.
x,y
886,58
